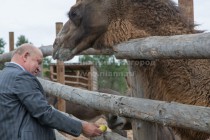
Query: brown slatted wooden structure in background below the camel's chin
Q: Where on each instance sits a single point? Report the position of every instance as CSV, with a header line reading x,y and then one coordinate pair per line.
x,y
83,75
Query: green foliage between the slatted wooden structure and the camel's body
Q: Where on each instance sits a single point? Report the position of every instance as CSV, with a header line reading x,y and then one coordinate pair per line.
x,y
111,72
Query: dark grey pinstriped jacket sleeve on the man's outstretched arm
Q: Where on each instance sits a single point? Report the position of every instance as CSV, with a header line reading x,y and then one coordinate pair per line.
x,y
28,90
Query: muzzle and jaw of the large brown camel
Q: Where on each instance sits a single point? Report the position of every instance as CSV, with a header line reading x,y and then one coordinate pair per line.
x,y
72,40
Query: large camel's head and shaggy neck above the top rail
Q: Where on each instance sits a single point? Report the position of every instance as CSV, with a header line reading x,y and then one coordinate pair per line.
x,y
104,23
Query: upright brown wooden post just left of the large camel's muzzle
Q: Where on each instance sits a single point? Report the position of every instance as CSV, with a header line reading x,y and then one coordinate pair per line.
x,y
60,73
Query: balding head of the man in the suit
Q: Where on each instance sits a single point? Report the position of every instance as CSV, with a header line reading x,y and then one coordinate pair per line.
x,y
29,57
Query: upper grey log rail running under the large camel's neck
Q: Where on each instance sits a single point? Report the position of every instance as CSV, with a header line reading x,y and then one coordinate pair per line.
x,y
156,47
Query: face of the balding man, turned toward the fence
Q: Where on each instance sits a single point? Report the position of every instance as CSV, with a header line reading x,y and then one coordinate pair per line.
x,y
33,63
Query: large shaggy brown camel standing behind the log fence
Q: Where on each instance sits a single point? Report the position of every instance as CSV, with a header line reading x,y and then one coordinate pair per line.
x,y
104,23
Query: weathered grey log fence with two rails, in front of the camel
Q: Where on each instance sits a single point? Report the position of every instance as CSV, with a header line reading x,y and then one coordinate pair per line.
x,y
171,114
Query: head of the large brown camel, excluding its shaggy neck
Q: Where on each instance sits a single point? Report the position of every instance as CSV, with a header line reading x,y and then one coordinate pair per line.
x,y
87,21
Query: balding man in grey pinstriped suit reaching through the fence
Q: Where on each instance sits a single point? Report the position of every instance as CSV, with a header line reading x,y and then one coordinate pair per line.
x,y
24,111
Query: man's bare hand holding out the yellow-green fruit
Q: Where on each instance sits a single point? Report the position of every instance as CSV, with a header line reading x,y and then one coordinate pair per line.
x,y
90,129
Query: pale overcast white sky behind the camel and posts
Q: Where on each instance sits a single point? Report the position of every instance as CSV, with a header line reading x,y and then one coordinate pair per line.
x,y
36,18
